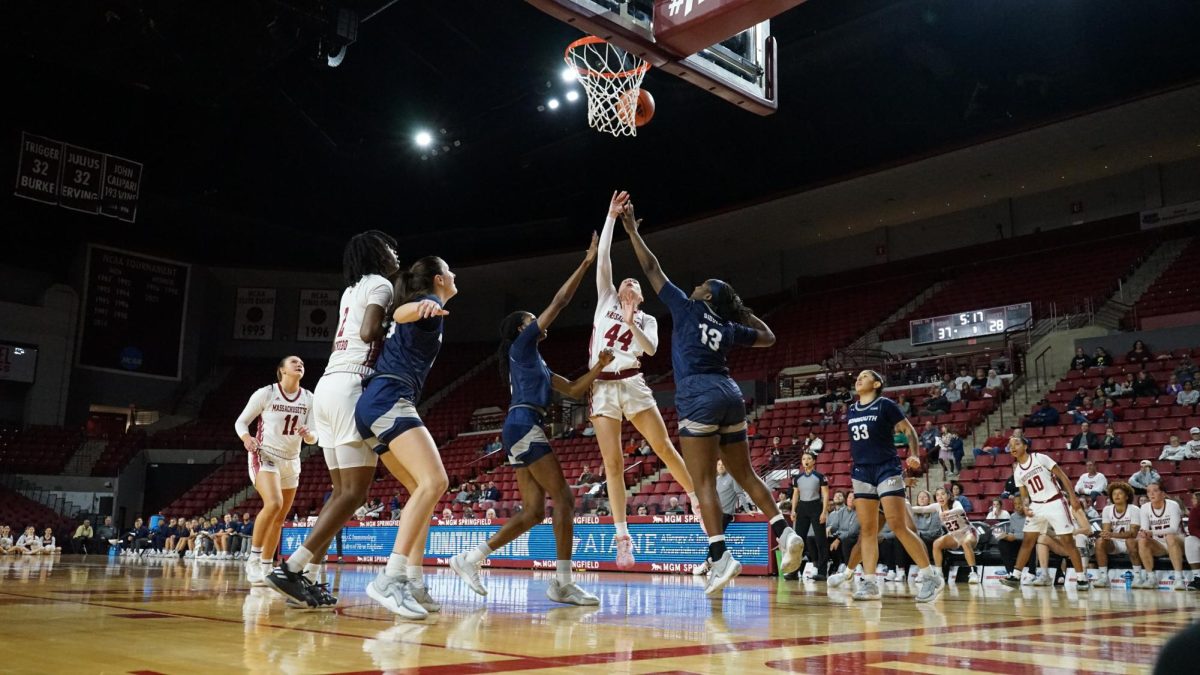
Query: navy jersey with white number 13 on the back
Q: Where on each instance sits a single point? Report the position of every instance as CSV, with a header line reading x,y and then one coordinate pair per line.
x,y
700,341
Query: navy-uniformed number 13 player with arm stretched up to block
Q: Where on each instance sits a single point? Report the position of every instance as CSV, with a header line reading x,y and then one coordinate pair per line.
x,y
712,413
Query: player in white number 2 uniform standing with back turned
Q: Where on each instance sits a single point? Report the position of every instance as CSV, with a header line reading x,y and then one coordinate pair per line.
x,y
369,264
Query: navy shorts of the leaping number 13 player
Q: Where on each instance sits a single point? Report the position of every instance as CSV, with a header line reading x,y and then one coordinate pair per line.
x,y
711,405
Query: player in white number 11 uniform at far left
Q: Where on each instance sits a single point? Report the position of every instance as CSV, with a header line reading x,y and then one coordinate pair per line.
x,y
274,457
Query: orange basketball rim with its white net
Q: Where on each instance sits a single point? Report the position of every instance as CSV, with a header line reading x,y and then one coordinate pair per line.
x,y
613,80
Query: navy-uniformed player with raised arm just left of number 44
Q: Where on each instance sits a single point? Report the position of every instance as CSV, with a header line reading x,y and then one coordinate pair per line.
x,y
539,474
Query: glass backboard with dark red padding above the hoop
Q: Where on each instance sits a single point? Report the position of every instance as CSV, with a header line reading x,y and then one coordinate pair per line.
x,y
722,46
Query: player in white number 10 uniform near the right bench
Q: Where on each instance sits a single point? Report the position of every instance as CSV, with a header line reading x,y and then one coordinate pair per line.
x,y
1053,500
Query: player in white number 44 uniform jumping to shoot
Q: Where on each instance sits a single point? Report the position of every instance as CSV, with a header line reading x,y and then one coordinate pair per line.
x,y
621,392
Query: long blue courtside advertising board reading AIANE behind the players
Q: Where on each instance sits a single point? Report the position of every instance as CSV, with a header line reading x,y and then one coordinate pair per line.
x,y
669,545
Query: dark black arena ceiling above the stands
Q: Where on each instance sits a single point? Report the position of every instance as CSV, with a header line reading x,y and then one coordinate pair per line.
x,y
257,153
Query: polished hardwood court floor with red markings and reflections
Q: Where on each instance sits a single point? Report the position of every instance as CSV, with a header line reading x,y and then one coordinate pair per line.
x,y
104,616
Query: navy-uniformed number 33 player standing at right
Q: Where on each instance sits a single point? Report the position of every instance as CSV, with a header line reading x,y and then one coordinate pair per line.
x,y
878,477
